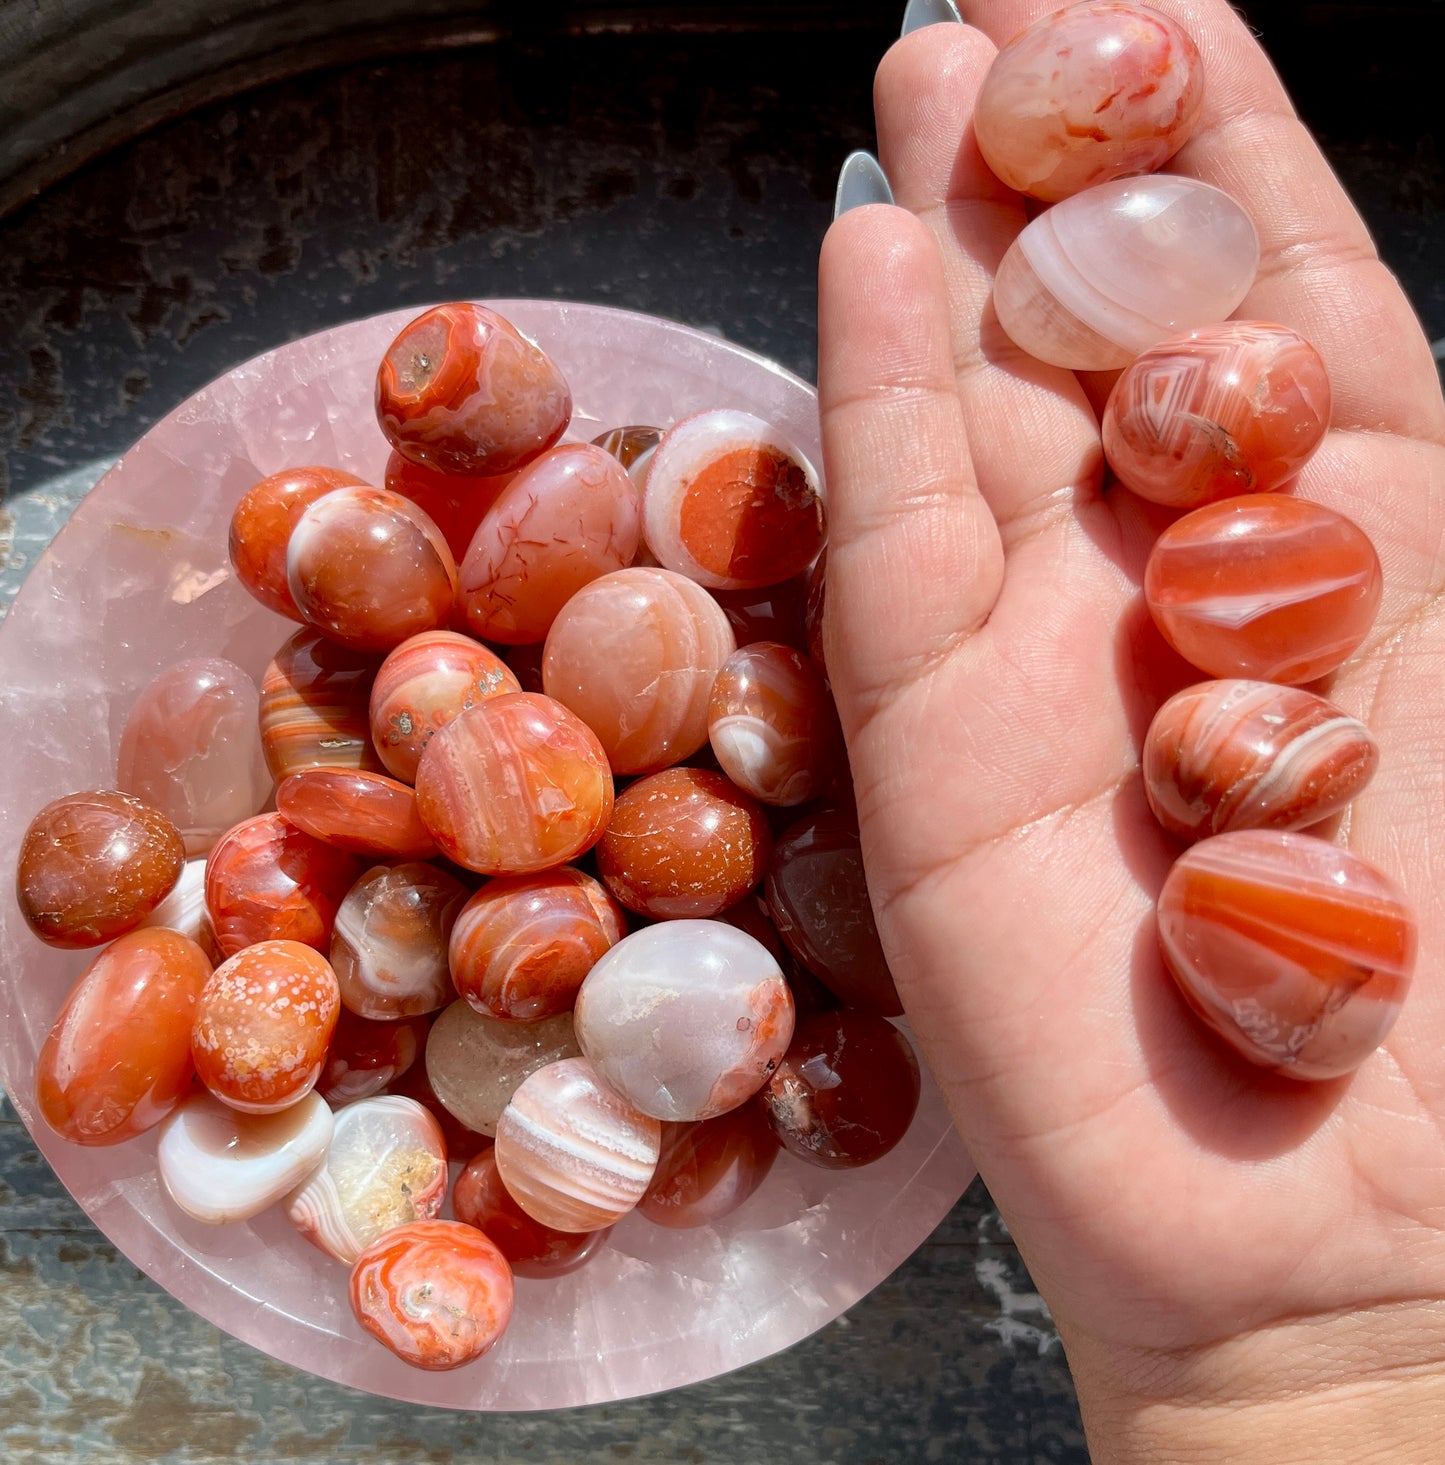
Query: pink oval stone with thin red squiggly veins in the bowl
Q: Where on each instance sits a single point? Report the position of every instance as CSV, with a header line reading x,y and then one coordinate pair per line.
x,y
568,518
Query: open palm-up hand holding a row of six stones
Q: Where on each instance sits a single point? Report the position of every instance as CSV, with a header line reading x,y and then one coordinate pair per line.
x,y
1216,1243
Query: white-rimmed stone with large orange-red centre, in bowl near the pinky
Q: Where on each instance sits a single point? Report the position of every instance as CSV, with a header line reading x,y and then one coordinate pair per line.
x,y
732,503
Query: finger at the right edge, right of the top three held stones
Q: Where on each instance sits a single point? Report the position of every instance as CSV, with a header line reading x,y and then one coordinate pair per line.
x,y
1320,272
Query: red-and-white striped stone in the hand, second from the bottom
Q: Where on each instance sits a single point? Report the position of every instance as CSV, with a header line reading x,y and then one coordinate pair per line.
x,y
1251,755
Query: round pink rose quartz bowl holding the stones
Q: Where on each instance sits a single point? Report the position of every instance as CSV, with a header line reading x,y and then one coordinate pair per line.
x,y
140,579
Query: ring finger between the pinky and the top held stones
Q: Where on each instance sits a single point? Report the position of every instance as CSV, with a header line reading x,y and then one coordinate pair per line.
x,y
1031,430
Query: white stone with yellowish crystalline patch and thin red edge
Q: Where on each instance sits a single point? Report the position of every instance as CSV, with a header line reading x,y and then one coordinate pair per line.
x,y
386,1167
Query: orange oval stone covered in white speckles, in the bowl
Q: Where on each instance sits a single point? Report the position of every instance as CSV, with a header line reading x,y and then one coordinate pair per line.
x,y
263,1025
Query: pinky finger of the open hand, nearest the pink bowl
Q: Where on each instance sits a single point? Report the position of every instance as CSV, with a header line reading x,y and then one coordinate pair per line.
x,y
915,562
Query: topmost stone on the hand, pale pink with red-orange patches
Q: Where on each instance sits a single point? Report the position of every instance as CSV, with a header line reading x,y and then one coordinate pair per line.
x,y
1088,94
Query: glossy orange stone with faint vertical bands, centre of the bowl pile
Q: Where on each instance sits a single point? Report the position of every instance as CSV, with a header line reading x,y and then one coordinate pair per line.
x,y
515,785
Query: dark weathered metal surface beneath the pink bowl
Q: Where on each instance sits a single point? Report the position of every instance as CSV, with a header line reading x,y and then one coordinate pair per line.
x,y
685,175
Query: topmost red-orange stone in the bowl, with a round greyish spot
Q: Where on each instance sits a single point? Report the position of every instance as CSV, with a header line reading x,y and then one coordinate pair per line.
x,y
462,389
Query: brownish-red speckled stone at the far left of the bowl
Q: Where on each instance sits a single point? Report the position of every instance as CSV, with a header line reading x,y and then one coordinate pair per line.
x,y
96,865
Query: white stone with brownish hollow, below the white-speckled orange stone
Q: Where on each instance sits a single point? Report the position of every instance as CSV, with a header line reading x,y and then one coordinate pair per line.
x,y
221,1165
